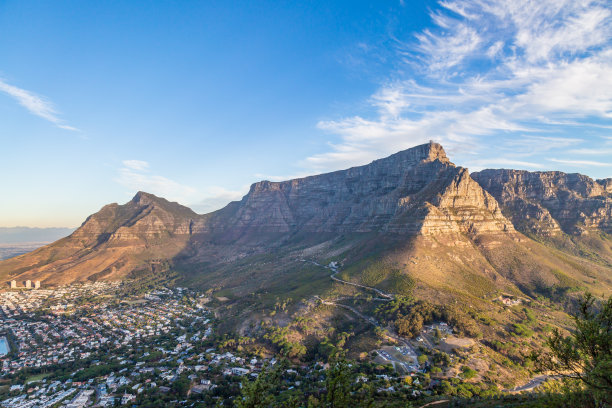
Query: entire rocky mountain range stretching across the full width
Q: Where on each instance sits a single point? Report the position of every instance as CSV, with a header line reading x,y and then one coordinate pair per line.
x,y
413,216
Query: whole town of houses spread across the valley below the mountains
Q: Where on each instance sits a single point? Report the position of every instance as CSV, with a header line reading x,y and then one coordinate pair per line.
x,y
79,345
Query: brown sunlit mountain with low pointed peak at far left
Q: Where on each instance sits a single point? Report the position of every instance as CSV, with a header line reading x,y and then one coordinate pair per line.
x,y
110,243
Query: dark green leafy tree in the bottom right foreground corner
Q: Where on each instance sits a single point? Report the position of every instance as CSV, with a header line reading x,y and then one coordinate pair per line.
x,y
586,354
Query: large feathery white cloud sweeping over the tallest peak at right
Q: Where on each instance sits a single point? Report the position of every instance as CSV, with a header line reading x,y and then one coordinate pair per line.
x,y
509,73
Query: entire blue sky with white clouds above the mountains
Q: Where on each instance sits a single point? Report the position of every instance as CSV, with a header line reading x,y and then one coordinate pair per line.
x,y
194,101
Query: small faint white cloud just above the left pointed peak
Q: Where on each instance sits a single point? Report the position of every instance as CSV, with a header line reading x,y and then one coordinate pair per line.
x,y
135,175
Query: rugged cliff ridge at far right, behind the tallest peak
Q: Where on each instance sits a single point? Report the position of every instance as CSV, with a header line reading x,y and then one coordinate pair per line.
x,y
548,203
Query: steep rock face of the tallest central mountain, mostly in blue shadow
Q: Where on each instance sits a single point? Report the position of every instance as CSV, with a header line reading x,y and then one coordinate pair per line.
x,y
416,191
